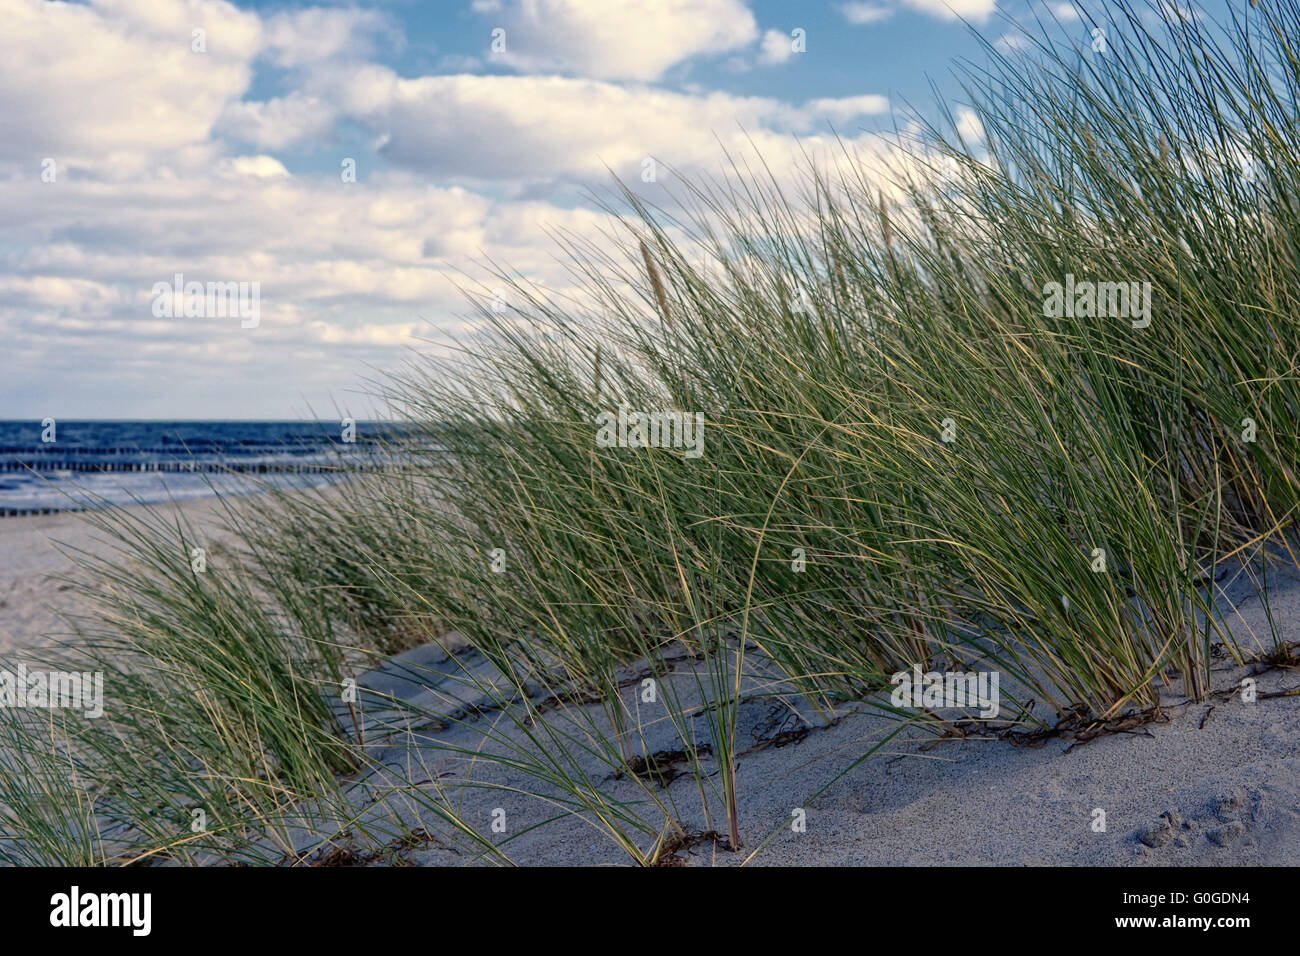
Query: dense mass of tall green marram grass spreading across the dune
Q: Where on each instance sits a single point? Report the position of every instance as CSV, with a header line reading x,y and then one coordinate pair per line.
x,y
908,461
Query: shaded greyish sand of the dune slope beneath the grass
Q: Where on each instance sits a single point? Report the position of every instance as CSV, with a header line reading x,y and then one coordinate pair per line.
x,y
1214,784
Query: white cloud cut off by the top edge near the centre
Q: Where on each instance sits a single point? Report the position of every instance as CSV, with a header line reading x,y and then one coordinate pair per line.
x,y
617,40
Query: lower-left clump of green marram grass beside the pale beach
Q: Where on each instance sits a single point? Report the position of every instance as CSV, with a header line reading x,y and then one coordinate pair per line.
x,y
219,739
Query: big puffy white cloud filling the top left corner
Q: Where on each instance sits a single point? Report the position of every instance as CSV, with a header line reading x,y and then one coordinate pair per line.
x,y
109,85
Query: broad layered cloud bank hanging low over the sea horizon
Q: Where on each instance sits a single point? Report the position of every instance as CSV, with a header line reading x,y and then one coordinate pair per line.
x,y
345,272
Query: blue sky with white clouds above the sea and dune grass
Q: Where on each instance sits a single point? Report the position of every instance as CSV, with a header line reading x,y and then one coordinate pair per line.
x,y
361,163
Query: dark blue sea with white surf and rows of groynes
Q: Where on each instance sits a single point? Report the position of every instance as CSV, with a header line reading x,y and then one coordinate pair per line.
x,y
98,464
